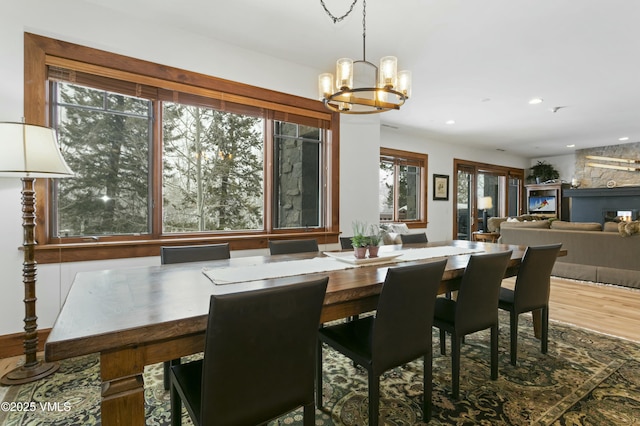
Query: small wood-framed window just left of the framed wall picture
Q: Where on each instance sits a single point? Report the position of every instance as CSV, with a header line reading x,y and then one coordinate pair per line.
x,y
402,189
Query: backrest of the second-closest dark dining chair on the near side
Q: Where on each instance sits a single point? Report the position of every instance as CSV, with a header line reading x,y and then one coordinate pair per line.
x,y
404,316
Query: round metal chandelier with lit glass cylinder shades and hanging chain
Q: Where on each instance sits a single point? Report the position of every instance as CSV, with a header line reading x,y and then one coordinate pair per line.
x,y
362,87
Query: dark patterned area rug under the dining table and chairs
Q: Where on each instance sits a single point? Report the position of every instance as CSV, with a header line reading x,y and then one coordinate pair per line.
x,y
585,379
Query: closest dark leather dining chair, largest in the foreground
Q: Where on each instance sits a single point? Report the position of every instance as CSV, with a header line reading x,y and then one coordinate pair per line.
x,y
259,358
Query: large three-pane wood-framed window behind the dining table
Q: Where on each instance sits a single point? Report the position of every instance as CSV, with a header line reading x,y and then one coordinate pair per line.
x,y
162,155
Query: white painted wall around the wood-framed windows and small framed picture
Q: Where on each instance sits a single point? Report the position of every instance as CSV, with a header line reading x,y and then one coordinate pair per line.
x,y
89,25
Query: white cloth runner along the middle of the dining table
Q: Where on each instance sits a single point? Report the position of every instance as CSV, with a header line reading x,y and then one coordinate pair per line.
x,y
261,271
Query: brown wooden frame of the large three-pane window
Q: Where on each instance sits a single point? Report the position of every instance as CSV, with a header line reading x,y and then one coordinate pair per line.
x,y
42,53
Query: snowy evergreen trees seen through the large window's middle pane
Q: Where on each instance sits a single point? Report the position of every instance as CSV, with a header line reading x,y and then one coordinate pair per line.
x,y
212,170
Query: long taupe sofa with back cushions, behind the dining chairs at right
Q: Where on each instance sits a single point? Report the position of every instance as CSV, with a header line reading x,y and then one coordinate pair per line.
x,y
610,255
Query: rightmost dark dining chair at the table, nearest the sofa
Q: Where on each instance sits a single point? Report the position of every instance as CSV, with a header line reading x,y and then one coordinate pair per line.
x,y
530,293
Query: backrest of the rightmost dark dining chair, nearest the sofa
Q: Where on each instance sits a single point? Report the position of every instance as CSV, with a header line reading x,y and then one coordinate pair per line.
x,y
533,280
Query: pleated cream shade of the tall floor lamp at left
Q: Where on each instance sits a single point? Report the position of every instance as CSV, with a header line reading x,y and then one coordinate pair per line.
x,y
30,151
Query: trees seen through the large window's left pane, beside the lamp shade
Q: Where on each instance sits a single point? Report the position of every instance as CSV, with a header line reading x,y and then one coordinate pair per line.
x,y
105,141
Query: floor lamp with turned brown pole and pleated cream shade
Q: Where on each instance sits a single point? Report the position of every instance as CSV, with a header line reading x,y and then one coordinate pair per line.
x,y
30,152
